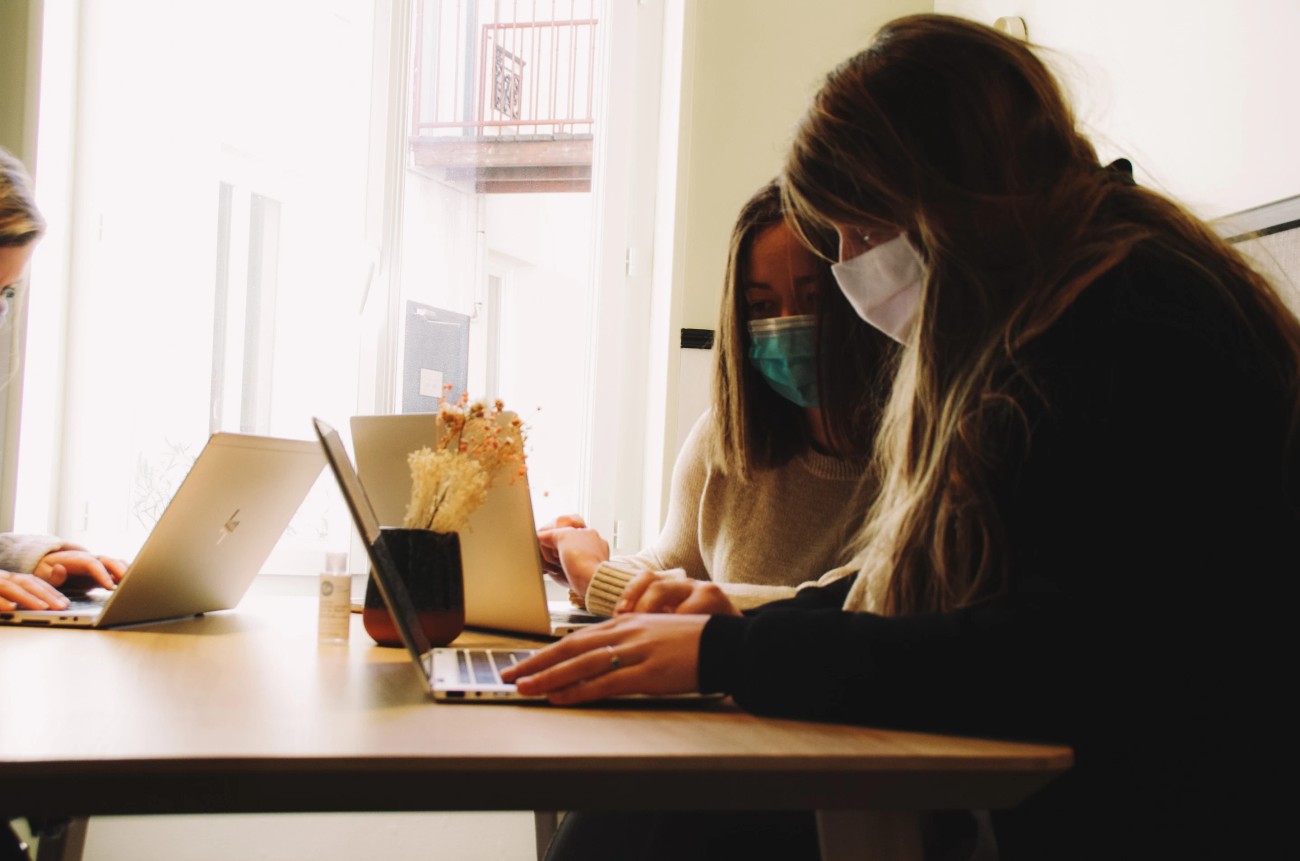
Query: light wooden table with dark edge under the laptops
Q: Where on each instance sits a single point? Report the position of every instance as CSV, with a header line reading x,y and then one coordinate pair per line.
x,y
244,712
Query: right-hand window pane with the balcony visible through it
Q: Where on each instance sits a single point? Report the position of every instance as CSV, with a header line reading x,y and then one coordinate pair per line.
x,y
499,218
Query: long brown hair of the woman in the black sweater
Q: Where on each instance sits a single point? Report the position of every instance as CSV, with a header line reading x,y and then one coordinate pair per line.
x,y
961,137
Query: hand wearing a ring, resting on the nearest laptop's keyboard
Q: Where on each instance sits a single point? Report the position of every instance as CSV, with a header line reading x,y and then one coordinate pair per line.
x,y
629,655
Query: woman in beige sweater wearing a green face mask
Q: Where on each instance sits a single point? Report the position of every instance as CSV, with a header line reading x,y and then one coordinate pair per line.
x,y
772,482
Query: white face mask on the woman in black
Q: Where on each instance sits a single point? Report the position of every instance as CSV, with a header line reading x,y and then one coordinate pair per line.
x,y
883,285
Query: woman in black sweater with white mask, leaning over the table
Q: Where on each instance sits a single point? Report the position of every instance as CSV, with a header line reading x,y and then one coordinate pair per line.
x,y
1089,523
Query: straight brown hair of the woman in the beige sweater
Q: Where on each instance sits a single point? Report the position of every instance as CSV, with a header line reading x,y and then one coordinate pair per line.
x,y
755,427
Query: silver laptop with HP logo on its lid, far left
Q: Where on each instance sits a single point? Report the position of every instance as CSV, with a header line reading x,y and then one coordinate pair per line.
x,y
210,543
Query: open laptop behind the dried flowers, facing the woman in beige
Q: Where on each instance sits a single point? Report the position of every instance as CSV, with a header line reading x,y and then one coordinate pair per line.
x,y
505,583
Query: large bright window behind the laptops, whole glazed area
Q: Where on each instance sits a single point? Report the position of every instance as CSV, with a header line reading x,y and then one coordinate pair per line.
x,y
297,209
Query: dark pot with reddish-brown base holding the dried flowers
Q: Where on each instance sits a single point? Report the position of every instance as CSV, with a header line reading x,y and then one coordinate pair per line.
x,y
430,566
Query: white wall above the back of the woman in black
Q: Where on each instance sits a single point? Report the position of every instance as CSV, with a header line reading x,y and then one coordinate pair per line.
x,y
1198,93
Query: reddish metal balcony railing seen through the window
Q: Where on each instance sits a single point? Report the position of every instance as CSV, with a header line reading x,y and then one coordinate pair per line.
x,y
502,68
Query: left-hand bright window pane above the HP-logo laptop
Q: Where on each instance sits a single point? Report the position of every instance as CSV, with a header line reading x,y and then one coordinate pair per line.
x,y
220,265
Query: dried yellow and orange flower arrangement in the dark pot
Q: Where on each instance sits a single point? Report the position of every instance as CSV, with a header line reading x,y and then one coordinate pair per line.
x,y
450,479
